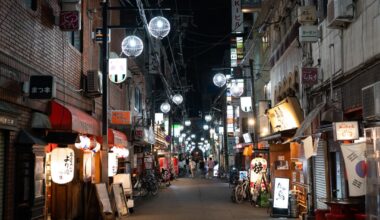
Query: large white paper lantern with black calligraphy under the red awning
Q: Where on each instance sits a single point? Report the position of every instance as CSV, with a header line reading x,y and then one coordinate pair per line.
x,y
62,165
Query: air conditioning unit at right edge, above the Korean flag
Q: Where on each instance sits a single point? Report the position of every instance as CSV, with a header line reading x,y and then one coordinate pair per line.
x,y
371,101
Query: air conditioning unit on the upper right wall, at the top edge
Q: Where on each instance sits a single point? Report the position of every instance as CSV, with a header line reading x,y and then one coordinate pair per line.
x,y
339,13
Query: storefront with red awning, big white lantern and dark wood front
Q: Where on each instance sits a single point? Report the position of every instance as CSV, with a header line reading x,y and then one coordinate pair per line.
x,y
70,174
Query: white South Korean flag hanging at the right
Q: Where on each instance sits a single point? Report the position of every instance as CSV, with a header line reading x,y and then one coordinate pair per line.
x,y
354,161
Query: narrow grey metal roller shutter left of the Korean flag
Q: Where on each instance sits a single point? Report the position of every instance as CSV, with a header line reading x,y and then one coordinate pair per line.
x,y
320,180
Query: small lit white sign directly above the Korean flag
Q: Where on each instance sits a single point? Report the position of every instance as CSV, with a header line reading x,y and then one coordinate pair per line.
x,y
347,130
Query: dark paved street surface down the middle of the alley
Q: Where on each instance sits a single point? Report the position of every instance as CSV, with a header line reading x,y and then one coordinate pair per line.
x,y
193,199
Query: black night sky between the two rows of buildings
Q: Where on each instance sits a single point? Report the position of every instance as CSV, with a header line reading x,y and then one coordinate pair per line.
x,y
206,41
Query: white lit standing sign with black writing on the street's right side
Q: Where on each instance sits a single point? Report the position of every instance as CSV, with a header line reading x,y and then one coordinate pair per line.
x,y
280,197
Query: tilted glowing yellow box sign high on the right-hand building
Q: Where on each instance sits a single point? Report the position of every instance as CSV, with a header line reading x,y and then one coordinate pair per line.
x,y
285,115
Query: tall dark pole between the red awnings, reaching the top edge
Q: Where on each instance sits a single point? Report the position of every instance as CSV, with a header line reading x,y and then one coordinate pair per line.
x,y
104,149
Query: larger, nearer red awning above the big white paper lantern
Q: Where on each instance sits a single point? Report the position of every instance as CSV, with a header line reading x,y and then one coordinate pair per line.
x,y
69,118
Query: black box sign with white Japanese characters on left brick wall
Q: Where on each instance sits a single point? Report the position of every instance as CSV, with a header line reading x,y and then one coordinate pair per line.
x,y
42,87
